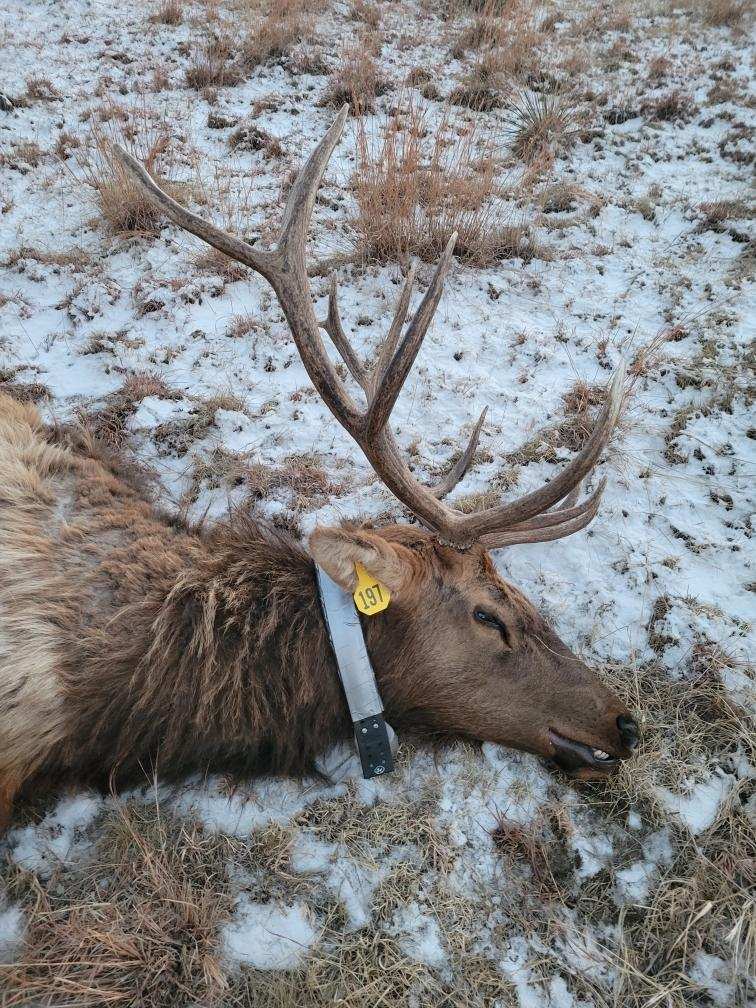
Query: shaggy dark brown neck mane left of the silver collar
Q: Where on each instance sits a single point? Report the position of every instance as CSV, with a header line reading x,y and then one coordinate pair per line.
x,y
227,667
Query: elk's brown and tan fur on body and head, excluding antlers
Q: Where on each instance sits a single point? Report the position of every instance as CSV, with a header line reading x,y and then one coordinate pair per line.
x,y
131,642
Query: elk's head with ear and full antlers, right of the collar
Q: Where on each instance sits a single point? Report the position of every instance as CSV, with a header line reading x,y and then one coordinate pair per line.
x,y
459,652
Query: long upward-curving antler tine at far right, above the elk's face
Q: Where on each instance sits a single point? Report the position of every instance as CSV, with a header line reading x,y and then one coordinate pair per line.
x,y
486,524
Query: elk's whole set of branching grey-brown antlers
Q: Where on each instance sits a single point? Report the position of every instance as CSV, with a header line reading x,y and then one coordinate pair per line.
x,y
285,268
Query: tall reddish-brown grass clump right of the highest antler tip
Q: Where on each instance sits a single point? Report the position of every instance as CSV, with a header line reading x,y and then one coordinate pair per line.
x,y
417,185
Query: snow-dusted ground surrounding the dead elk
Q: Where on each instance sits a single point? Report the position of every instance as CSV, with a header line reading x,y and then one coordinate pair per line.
x,y
425,879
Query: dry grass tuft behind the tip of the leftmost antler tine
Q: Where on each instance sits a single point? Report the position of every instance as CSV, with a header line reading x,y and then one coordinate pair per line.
x,y
144,136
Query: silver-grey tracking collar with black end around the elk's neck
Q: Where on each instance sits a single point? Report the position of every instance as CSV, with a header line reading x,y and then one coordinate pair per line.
x,y
375,740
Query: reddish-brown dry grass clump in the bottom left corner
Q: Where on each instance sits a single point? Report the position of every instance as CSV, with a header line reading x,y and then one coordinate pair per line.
x,y
136,923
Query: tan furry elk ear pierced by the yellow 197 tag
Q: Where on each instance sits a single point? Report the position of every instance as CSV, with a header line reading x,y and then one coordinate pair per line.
x,y
338,550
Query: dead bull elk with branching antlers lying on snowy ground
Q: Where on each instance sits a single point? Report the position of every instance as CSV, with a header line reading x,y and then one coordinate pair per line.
x,y
130,640
